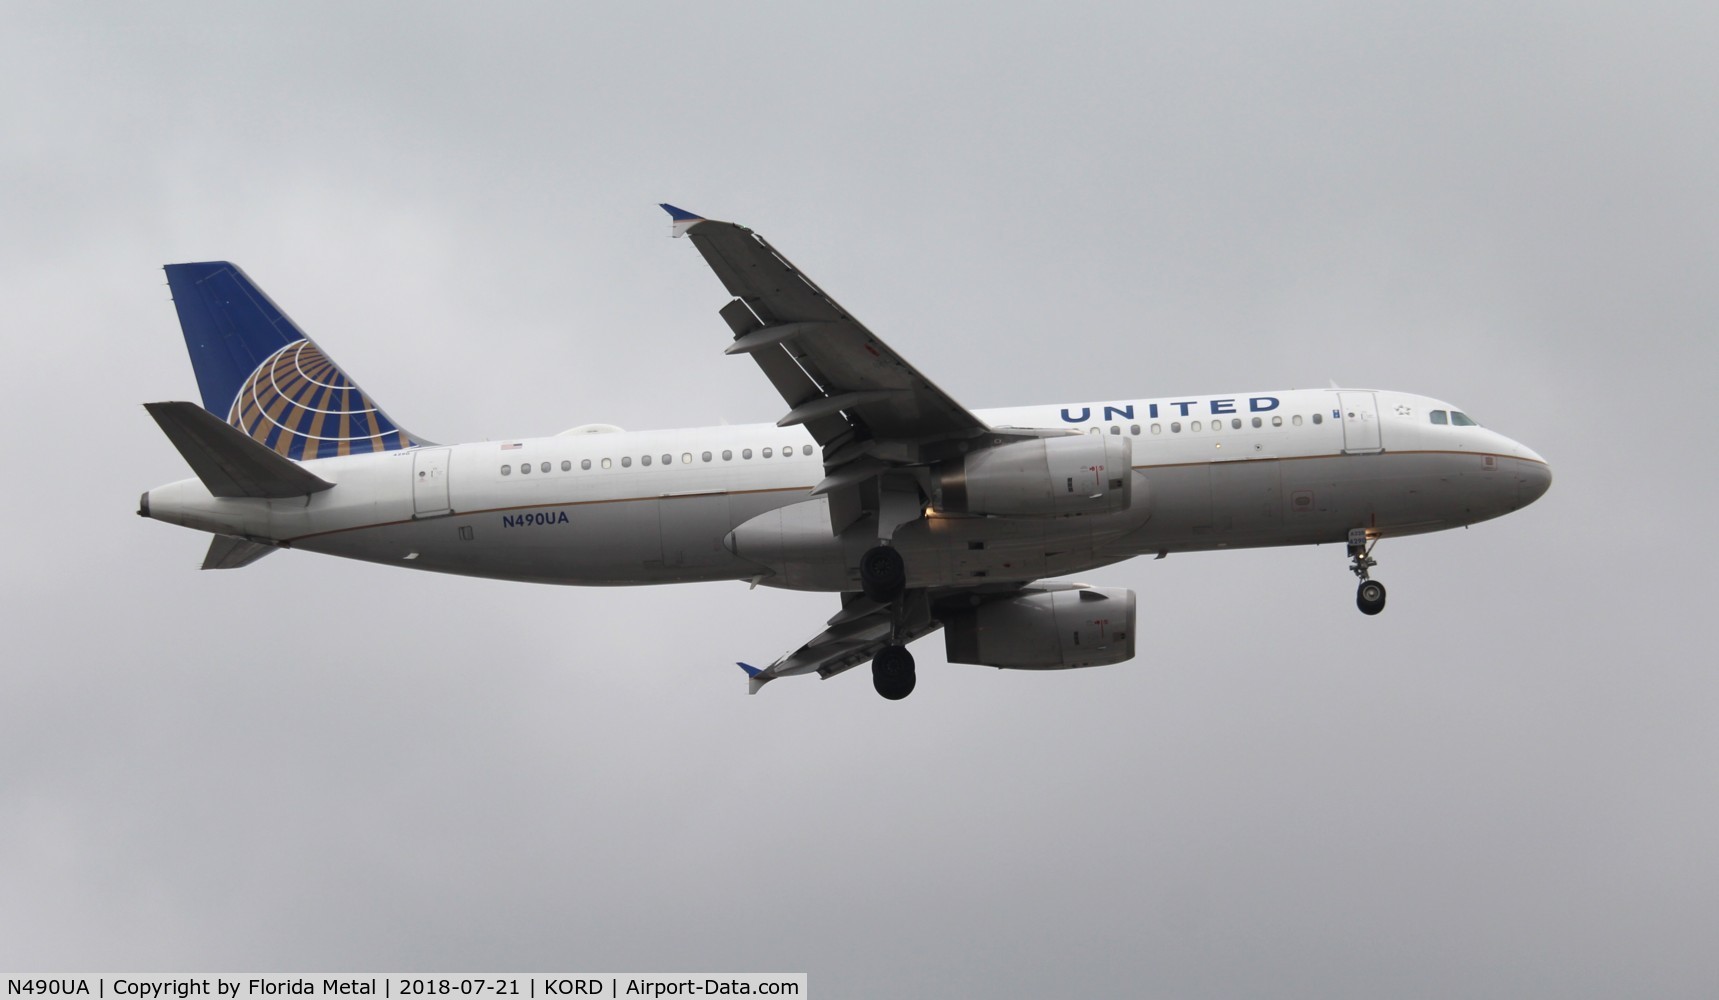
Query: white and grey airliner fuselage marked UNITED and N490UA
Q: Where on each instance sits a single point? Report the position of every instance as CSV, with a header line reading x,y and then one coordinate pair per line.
x,y
735,503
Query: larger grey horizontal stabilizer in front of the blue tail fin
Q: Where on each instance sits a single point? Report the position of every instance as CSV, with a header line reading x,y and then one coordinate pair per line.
x,y
228,461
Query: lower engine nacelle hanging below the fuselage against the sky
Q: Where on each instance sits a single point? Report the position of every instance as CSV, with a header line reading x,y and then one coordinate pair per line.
x,y
1046,631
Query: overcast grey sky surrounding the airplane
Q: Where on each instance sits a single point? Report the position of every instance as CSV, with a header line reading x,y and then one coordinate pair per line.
x,y
1505,786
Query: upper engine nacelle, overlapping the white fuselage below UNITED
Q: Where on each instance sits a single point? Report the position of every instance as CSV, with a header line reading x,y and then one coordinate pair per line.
x,y
1041,479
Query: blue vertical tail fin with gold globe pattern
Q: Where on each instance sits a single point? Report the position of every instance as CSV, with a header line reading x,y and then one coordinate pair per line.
x,y
259,372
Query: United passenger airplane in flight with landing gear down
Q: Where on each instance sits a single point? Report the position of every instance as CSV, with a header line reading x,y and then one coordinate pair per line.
x,y
876,485
